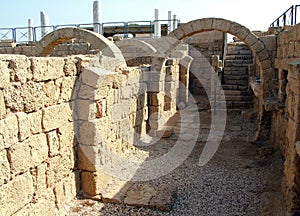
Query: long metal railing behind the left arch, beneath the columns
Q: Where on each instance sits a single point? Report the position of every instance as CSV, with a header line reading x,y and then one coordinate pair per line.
x,y
29,34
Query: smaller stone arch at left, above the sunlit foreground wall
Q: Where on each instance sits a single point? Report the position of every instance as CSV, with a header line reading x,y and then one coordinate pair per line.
x,y
107,48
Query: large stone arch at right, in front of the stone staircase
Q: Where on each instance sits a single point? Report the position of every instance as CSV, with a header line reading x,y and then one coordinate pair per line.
x,y
256,45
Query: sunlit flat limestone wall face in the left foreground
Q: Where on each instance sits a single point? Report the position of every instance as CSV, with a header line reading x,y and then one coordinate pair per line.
x,y
38,171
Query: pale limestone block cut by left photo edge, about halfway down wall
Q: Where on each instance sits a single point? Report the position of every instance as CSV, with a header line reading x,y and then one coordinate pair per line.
x,y
8,132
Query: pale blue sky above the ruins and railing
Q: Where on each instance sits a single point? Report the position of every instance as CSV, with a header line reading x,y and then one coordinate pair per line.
x,y
254,14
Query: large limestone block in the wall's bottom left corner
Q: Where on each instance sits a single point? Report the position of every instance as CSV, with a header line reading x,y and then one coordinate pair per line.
x,y
16,194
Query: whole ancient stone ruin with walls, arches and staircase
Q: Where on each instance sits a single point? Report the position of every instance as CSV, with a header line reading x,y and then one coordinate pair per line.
x,y
65,97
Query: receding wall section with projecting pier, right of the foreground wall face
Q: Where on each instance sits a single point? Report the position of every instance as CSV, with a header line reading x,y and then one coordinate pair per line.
x,y
124,108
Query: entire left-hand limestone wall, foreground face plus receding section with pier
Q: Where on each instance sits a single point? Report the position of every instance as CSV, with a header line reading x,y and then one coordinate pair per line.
x,y
48,111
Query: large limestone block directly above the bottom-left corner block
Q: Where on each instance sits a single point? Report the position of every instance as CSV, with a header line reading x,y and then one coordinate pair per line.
x,y
29,153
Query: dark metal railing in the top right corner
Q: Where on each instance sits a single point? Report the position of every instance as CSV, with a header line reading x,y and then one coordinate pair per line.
x,y
289,17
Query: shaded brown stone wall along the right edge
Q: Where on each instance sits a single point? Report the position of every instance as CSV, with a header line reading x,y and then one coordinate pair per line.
x,y
285,128
